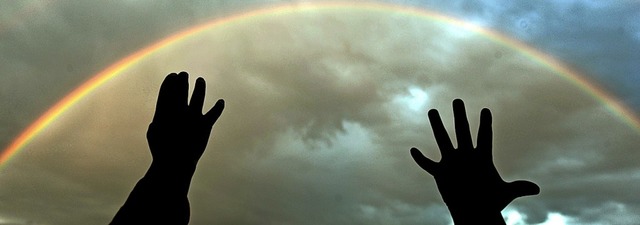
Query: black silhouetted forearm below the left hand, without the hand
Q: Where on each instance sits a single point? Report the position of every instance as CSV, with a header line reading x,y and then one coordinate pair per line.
x,y
160,197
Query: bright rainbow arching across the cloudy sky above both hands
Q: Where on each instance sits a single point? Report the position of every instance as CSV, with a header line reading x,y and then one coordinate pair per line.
x,y
612,104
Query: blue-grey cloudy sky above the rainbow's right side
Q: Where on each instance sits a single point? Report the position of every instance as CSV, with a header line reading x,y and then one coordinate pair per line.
x,y
598,38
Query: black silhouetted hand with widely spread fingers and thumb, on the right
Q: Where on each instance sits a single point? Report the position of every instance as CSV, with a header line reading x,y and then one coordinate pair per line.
x,y
466,176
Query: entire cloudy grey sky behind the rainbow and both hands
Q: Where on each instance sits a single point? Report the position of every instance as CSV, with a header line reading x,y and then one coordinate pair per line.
x,y
322,107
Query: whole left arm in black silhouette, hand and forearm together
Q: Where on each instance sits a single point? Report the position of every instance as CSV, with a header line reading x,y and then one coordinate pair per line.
x,y
177,137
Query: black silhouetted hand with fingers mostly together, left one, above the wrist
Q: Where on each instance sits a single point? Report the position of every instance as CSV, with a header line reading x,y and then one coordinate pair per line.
x,y
179,131
